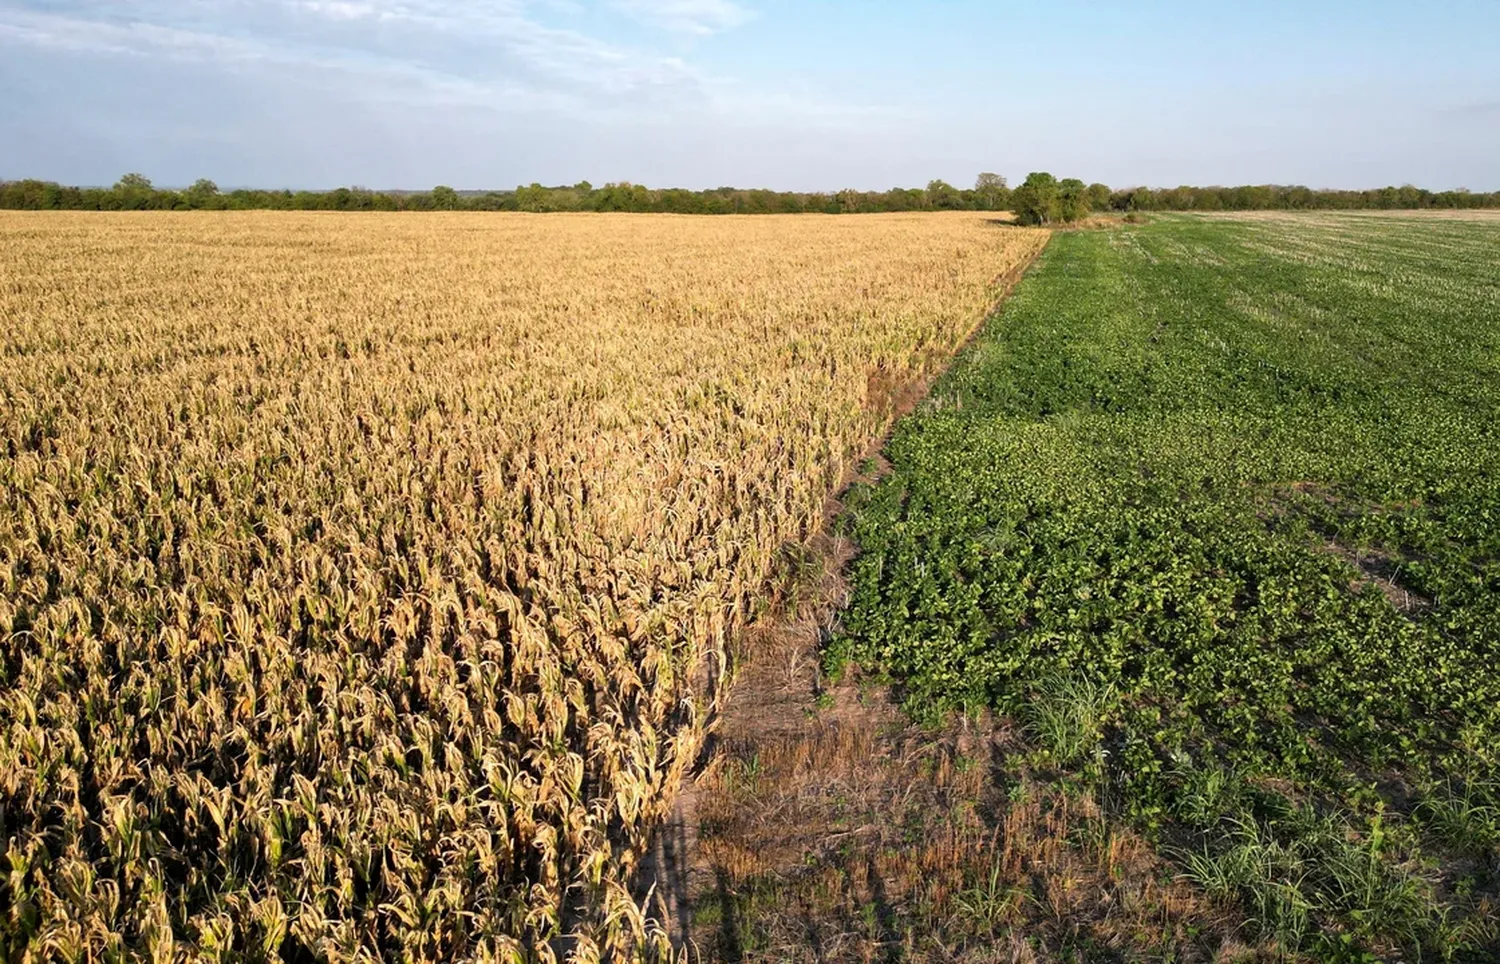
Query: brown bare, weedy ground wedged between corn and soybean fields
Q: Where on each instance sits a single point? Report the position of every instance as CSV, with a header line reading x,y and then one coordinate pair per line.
x,y
823,825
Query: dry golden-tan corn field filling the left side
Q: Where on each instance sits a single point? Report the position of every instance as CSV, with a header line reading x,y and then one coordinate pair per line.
x,y
365,581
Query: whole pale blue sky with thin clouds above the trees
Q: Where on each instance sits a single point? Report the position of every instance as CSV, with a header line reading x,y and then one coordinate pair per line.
x,y
794,95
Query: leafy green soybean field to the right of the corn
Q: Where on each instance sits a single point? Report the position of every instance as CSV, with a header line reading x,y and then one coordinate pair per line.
x,y
1213,510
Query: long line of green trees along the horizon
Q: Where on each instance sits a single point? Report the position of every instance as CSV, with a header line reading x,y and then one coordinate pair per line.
x,y
1040,200
